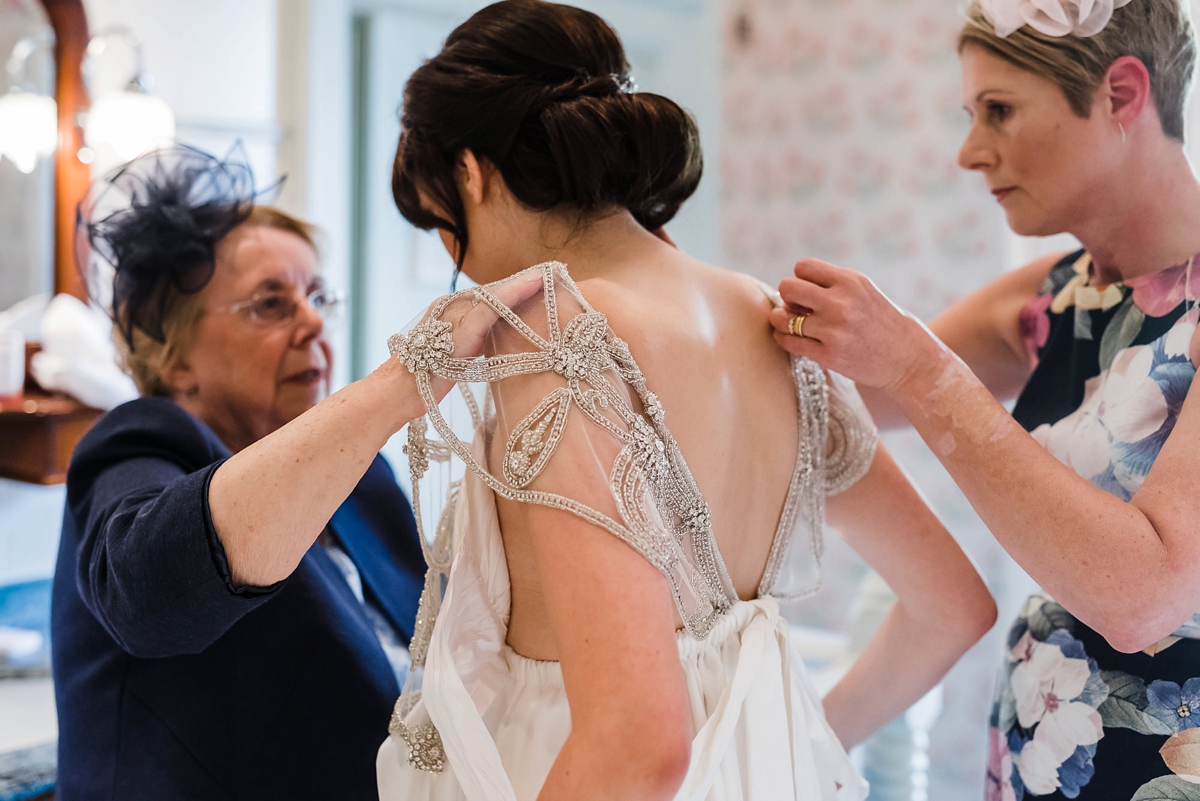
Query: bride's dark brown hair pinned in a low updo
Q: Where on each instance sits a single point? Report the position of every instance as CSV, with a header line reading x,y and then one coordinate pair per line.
x,y
543,92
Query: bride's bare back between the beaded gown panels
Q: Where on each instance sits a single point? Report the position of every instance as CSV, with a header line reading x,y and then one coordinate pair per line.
x,y
701,338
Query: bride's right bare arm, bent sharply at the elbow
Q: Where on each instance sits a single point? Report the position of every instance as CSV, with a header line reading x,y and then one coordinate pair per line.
x,y
943,606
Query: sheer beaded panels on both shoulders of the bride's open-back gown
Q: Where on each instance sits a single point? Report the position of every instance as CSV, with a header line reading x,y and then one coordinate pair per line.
x,y
568,420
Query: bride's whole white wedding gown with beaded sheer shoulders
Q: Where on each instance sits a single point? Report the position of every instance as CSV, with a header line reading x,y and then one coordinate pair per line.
x,y
561,390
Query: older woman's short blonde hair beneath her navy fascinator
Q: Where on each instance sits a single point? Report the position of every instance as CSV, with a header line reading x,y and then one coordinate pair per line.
x,y
146,359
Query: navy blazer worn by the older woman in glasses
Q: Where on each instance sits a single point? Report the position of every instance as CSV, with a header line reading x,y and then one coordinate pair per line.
x,y
171,682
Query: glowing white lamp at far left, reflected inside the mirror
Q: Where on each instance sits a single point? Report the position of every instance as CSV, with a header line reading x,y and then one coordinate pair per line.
x,y
29,124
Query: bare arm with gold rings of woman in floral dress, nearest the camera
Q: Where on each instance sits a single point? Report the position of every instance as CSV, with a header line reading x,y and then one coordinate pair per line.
x,y
1126,570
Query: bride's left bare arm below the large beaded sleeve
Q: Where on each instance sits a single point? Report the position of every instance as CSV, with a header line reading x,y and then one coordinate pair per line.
x,y
610,611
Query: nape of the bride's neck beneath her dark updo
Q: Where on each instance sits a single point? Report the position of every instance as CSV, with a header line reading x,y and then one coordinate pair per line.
x,y
591,248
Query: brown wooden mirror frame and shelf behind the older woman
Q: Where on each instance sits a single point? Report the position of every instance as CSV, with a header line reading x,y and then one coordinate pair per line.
x,y
39,431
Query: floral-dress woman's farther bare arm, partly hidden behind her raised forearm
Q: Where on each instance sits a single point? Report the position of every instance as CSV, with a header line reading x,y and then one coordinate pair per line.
x,y
983,330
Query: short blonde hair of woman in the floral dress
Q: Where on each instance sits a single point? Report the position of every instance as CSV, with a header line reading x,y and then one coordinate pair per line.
x,y
1159,33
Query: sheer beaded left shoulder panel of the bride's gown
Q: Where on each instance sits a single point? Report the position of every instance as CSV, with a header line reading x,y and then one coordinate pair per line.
x,y
561,387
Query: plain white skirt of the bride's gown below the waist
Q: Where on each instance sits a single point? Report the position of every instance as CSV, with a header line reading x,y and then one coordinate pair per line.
x,y
761,732
